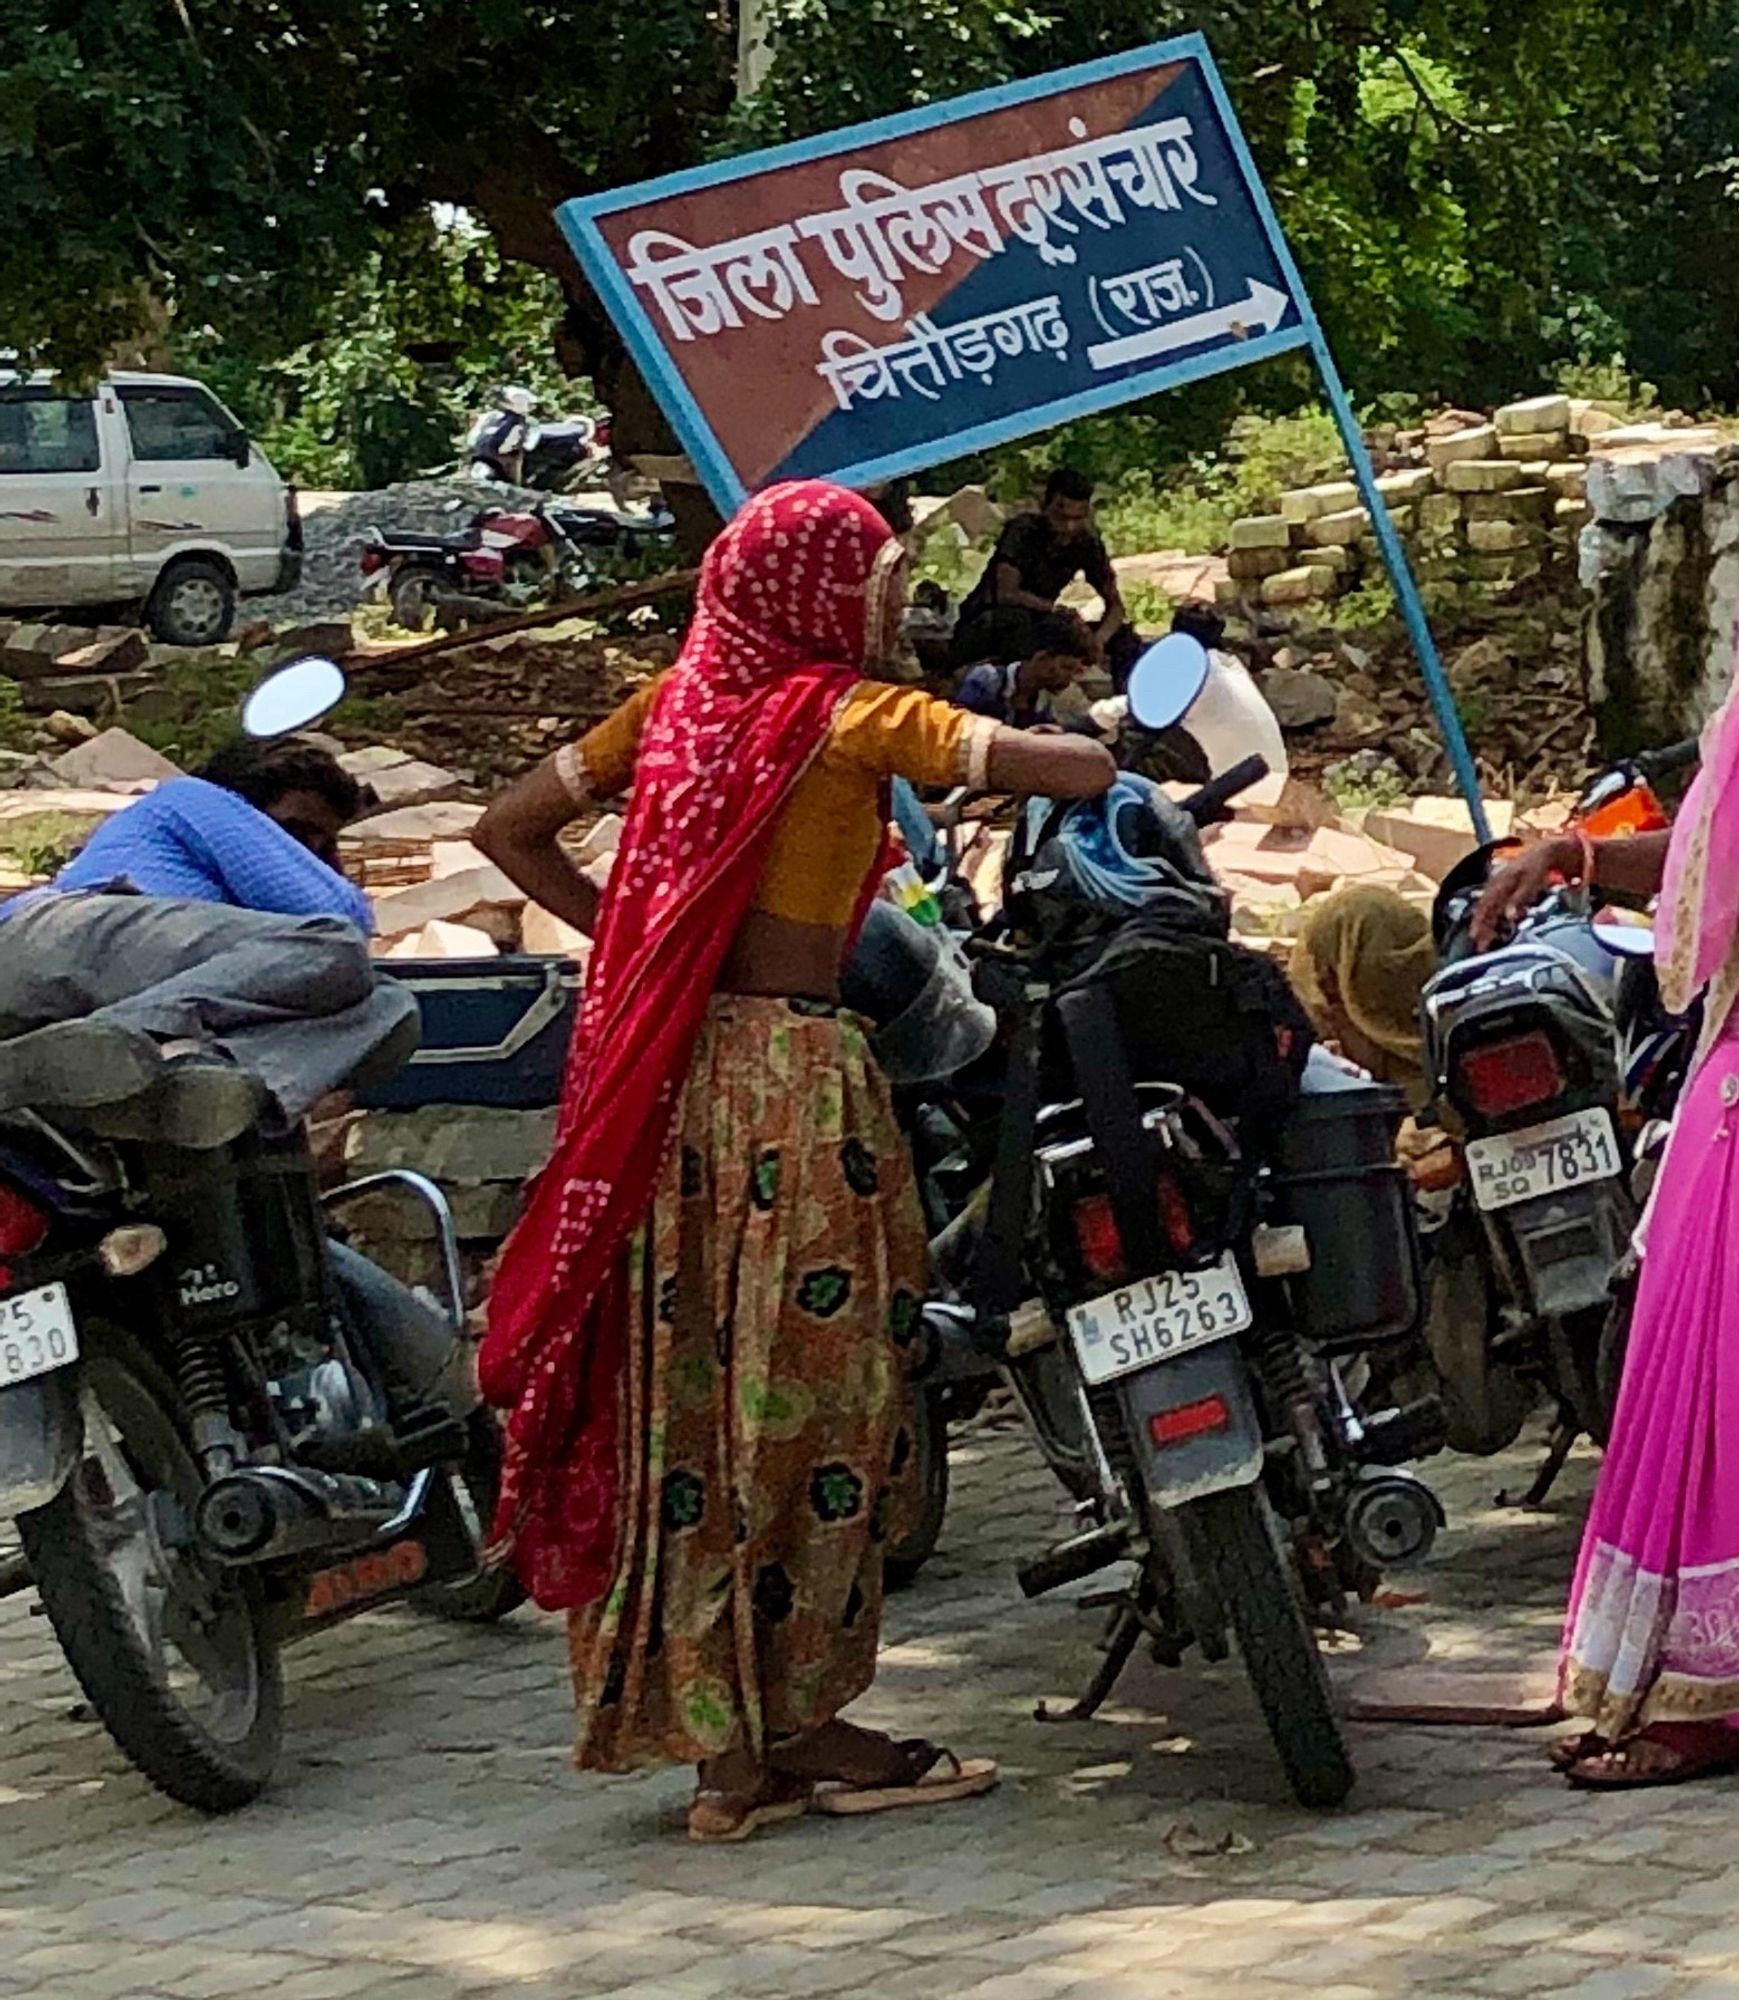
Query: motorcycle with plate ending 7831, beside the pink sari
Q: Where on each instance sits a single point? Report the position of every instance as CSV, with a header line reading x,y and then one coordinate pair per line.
x,y
1530,1065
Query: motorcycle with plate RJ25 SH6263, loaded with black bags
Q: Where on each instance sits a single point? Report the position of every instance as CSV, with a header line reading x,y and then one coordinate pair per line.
x,y
1184,1295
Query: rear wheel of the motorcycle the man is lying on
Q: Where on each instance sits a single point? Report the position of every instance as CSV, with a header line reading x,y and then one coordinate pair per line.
x,y
173,1651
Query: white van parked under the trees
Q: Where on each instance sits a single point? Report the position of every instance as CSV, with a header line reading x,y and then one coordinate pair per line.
x,y
143,491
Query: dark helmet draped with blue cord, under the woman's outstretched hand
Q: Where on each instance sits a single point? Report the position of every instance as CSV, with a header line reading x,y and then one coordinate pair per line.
x,y
1112,857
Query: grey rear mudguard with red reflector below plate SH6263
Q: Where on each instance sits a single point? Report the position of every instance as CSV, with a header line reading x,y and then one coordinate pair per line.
x,y
1192,1425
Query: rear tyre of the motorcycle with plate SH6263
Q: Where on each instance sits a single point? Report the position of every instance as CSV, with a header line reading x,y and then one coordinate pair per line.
x,y
1240,1545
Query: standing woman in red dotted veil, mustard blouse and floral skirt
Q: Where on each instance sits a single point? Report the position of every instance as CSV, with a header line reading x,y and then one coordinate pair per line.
x,y
701,1327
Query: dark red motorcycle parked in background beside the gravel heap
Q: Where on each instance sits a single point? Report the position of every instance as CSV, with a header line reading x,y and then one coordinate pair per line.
x,y
513,559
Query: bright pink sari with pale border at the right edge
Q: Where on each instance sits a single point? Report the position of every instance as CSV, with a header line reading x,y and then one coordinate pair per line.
x,y
1654,1617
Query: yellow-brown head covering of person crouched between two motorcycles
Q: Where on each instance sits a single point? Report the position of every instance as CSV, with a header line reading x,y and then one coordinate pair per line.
x,y
1376,953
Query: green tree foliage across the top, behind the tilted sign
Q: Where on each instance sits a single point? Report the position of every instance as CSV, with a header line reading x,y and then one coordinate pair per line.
x,y
1480,191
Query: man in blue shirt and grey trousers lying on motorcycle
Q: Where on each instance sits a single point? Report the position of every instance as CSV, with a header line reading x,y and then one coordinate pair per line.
x,y
199,953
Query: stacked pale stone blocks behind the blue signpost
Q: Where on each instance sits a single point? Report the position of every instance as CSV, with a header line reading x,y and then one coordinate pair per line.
x,y
1486,503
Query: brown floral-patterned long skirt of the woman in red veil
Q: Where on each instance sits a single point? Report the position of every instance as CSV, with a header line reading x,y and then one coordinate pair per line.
x,y
775,1299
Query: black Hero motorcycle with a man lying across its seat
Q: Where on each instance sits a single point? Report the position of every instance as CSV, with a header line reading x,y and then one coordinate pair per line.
x,y
223,1429
